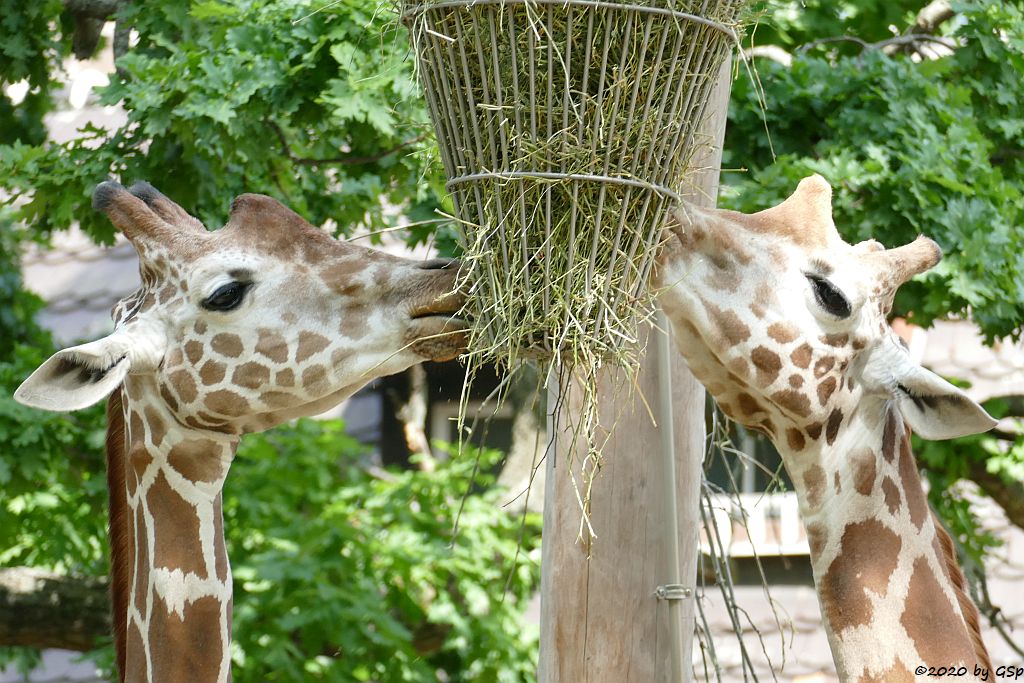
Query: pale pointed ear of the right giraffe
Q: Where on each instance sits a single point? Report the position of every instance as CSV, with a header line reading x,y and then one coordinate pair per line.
x,y
934,408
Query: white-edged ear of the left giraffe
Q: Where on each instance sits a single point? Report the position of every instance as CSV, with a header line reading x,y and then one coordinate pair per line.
x,y
76,377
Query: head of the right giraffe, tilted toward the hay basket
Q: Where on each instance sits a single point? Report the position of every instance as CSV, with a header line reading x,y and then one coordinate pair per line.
x,y
786,324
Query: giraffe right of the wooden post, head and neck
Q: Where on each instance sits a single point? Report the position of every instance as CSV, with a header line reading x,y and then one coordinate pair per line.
x,y
785,324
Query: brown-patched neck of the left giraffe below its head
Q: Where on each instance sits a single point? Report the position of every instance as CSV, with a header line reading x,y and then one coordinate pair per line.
x,y
173,582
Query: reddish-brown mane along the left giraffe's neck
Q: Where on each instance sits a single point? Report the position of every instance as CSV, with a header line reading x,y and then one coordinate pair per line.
x,y
118,526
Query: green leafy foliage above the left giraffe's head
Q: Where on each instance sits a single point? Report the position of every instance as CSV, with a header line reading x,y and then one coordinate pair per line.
x,y
226,97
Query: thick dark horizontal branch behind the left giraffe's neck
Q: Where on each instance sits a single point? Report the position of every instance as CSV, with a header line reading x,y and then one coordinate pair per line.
x,y
44,610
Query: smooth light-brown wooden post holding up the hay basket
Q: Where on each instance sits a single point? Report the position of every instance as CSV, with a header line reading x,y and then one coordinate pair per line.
x,y
601,619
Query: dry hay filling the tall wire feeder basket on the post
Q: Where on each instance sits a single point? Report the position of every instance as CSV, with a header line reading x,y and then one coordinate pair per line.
x,y
567,130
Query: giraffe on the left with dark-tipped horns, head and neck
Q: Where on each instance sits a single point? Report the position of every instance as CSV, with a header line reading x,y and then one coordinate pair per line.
x,y
231,332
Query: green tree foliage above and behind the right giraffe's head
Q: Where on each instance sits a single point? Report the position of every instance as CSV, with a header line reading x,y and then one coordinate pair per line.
x,y
934,147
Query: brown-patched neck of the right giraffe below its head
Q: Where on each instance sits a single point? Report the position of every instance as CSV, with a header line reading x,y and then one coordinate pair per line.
x,y
891,592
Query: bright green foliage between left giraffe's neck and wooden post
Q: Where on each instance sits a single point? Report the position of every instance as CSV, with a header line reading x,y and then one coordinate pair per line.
x,y
346,576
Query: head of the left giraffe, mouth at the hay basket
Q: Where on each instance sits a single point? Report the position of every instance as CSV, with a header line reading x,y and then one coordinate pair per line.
x,y
264,321
